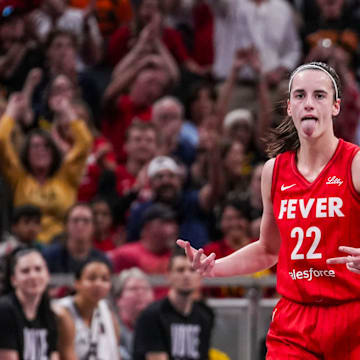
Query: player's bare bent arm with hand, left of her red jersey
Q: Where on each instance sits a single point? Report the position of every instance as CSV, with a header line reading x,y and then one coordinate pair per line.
x,y
254,257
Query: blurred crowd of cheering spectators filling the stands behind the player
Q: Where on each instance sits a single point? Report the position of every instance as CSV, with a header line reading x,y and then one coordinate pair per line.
x,y
126,124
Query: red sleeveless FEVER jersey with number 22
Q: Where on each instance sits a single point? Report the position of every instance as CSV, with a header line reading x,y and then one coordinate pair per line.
x,y
314,219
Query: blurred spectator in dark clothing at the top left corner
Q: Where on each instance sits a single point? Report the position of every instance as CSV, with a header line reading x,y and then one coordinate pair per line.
x,y
18,53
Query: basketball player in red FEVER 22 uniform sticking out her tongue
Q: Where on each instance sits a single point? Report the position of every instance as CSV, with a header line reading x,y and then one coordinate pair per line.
x,y
311,197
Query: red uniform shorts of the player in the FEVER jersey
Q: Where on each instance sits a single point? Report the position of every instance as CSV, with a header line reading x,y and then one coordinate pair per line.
x,y
314,332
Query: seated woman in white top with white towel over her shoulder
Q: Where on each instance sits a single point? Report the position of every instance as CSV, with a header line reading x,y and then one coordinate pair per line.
x,y
96,327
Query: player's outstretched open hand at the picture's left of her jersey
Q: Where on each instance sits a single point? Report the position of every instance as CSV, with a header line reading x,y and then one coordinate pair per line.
x,y
200,262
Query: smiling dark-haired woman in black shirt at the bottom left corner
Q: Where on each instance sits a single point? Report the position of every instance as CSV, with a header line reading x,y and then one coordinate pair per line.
x,y
28,327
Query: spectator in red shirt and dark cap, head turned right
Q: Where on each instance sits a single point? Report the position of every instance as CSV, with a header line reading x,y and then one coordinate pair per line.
x,y
159,231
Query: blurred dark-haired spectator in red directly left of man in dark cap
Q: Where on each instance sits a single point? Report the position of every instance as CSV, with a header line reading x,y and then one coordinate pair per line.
x,y
106,235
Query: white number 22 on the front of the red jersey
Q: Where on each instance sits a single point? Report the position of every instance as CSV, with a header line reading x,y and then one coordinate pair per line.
x,y
299,233
